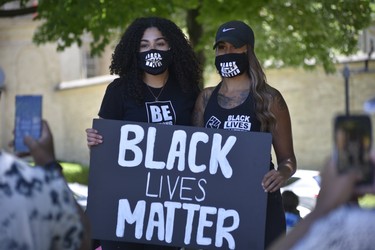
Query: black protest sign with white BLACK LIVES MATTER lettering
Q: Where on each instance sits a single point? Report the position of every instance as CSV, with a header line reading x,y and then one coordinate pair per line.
x,y
178,185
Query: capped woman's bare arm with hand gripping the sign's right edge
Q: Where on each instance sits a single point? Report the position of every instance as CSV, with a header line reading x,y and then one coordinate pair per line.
x,y
282,142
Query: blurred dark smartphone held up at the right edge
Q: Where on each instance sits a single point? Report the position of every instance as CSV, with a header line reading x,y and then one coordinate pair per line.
x,y
353,141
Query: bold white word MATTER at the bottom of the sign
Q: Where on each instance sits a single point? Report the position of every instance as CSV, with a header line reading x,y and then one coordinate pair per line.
x,y
161,221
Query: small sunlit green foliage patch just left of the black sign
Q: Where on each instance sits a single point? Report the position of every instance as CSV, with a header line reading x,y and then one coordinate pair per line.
x,y
75,173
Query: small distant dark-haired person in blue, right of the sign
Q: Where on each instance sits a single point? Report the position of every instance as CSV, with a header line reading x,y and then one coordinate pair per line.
x,y
290,204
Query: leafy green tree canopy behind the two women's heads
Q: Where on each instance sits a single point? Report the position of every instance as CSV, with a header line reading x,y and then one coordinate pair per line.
x,y
287,33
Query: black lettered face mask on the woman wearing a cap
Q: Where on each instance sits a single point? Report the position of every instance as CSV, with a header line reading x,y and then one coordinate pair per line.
x,y
231,65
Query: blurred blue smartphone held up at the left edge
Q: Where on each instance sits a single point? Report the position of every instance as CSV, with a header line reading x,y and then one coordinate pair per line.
x,y
28,120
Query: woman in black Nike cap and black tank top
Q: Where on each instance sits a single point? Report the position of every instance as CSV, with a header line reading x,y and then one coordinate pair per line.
x,y
244,92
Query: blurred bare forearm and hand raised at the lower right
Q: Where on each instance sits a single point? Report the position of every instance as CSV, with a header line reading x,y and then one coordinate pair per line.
x,y
335,190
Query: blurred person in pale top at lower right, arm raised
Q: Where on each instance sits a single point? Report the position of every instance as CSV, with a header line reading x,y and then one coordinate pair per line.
x,y
337,221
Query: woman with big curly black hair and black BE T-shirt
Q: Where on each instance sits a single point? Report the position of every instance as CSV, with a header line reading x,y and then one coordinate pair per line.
x,y
158,82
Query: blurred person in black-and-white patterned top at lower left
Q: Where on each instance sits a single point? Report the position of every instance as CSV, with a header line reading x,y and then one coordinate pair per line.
x,y
38,210
